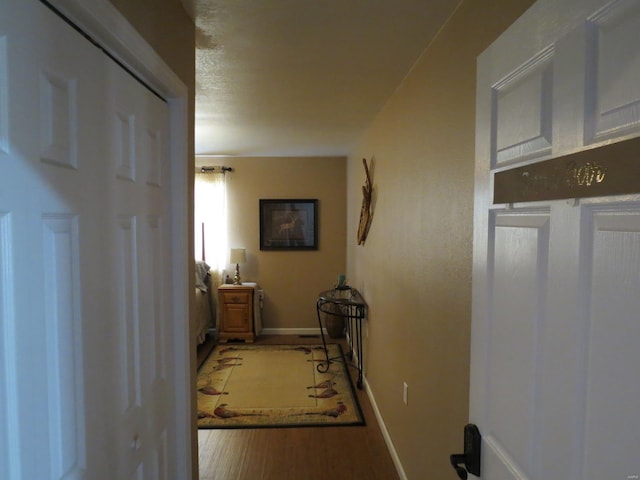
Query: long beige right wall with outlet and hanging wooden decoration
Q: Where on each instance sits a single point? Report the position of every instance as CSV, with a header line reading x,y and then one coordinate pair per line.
x,y
415,268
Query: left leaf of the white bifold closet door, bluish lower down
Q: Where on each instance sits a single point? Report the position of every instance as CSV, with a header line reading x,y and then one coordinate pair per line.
x,y
50,95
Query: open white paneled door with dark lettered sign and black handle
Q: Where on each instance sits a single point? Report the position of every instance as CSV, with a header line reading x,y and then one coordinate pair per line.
x,y
555,383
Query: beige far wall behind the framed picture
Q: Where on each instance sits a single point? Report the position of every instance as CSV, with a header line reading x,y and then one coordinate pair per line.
x,y
291,280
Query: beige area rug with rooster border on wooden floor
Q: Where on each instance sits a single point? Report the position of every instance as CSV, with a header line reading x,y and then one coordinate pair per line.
x,y
252,386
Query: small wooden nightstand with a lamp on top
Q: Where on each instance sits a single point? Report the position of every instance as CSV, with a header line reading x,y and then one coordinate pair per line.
x,y
236,312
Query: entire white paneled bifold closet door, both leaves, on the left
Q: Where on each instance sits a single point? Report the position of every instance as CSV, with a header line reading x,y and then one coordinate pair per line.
x,y
86,387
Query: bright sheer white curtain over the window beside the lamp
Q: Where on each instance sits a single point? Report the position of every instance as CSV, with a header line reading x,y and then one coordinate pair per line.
x,y
210,219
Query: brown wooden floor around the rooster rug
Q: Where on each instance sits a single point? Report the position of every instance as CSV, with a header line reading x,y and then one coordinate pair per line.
x,y
308,453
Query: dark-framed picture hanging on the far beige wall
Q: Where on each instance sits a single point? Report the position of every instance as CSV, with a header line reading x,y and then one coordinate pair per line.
x,y
288,224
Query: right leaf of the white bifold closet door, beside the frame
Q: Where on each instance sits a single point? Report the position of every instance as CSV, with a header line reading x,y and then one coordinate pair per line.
x,y
140,204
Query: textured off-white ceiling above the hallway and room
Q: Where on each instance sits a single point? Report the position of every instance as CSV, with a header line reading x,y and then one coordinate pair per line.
x,y
301,77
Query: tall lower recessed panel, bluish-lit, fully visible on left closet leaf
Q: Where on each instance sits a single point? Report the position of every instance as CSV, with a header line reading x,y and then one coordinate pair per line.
x,y
63,334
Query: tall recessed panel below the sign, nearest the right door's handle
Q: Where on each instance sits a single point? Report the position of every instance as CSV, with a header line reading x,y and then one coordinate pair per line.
x,y
519,270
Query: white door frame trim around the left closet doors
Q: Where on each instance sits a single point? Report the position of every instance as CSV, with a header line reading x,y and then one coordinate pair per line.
x,y
112,31
